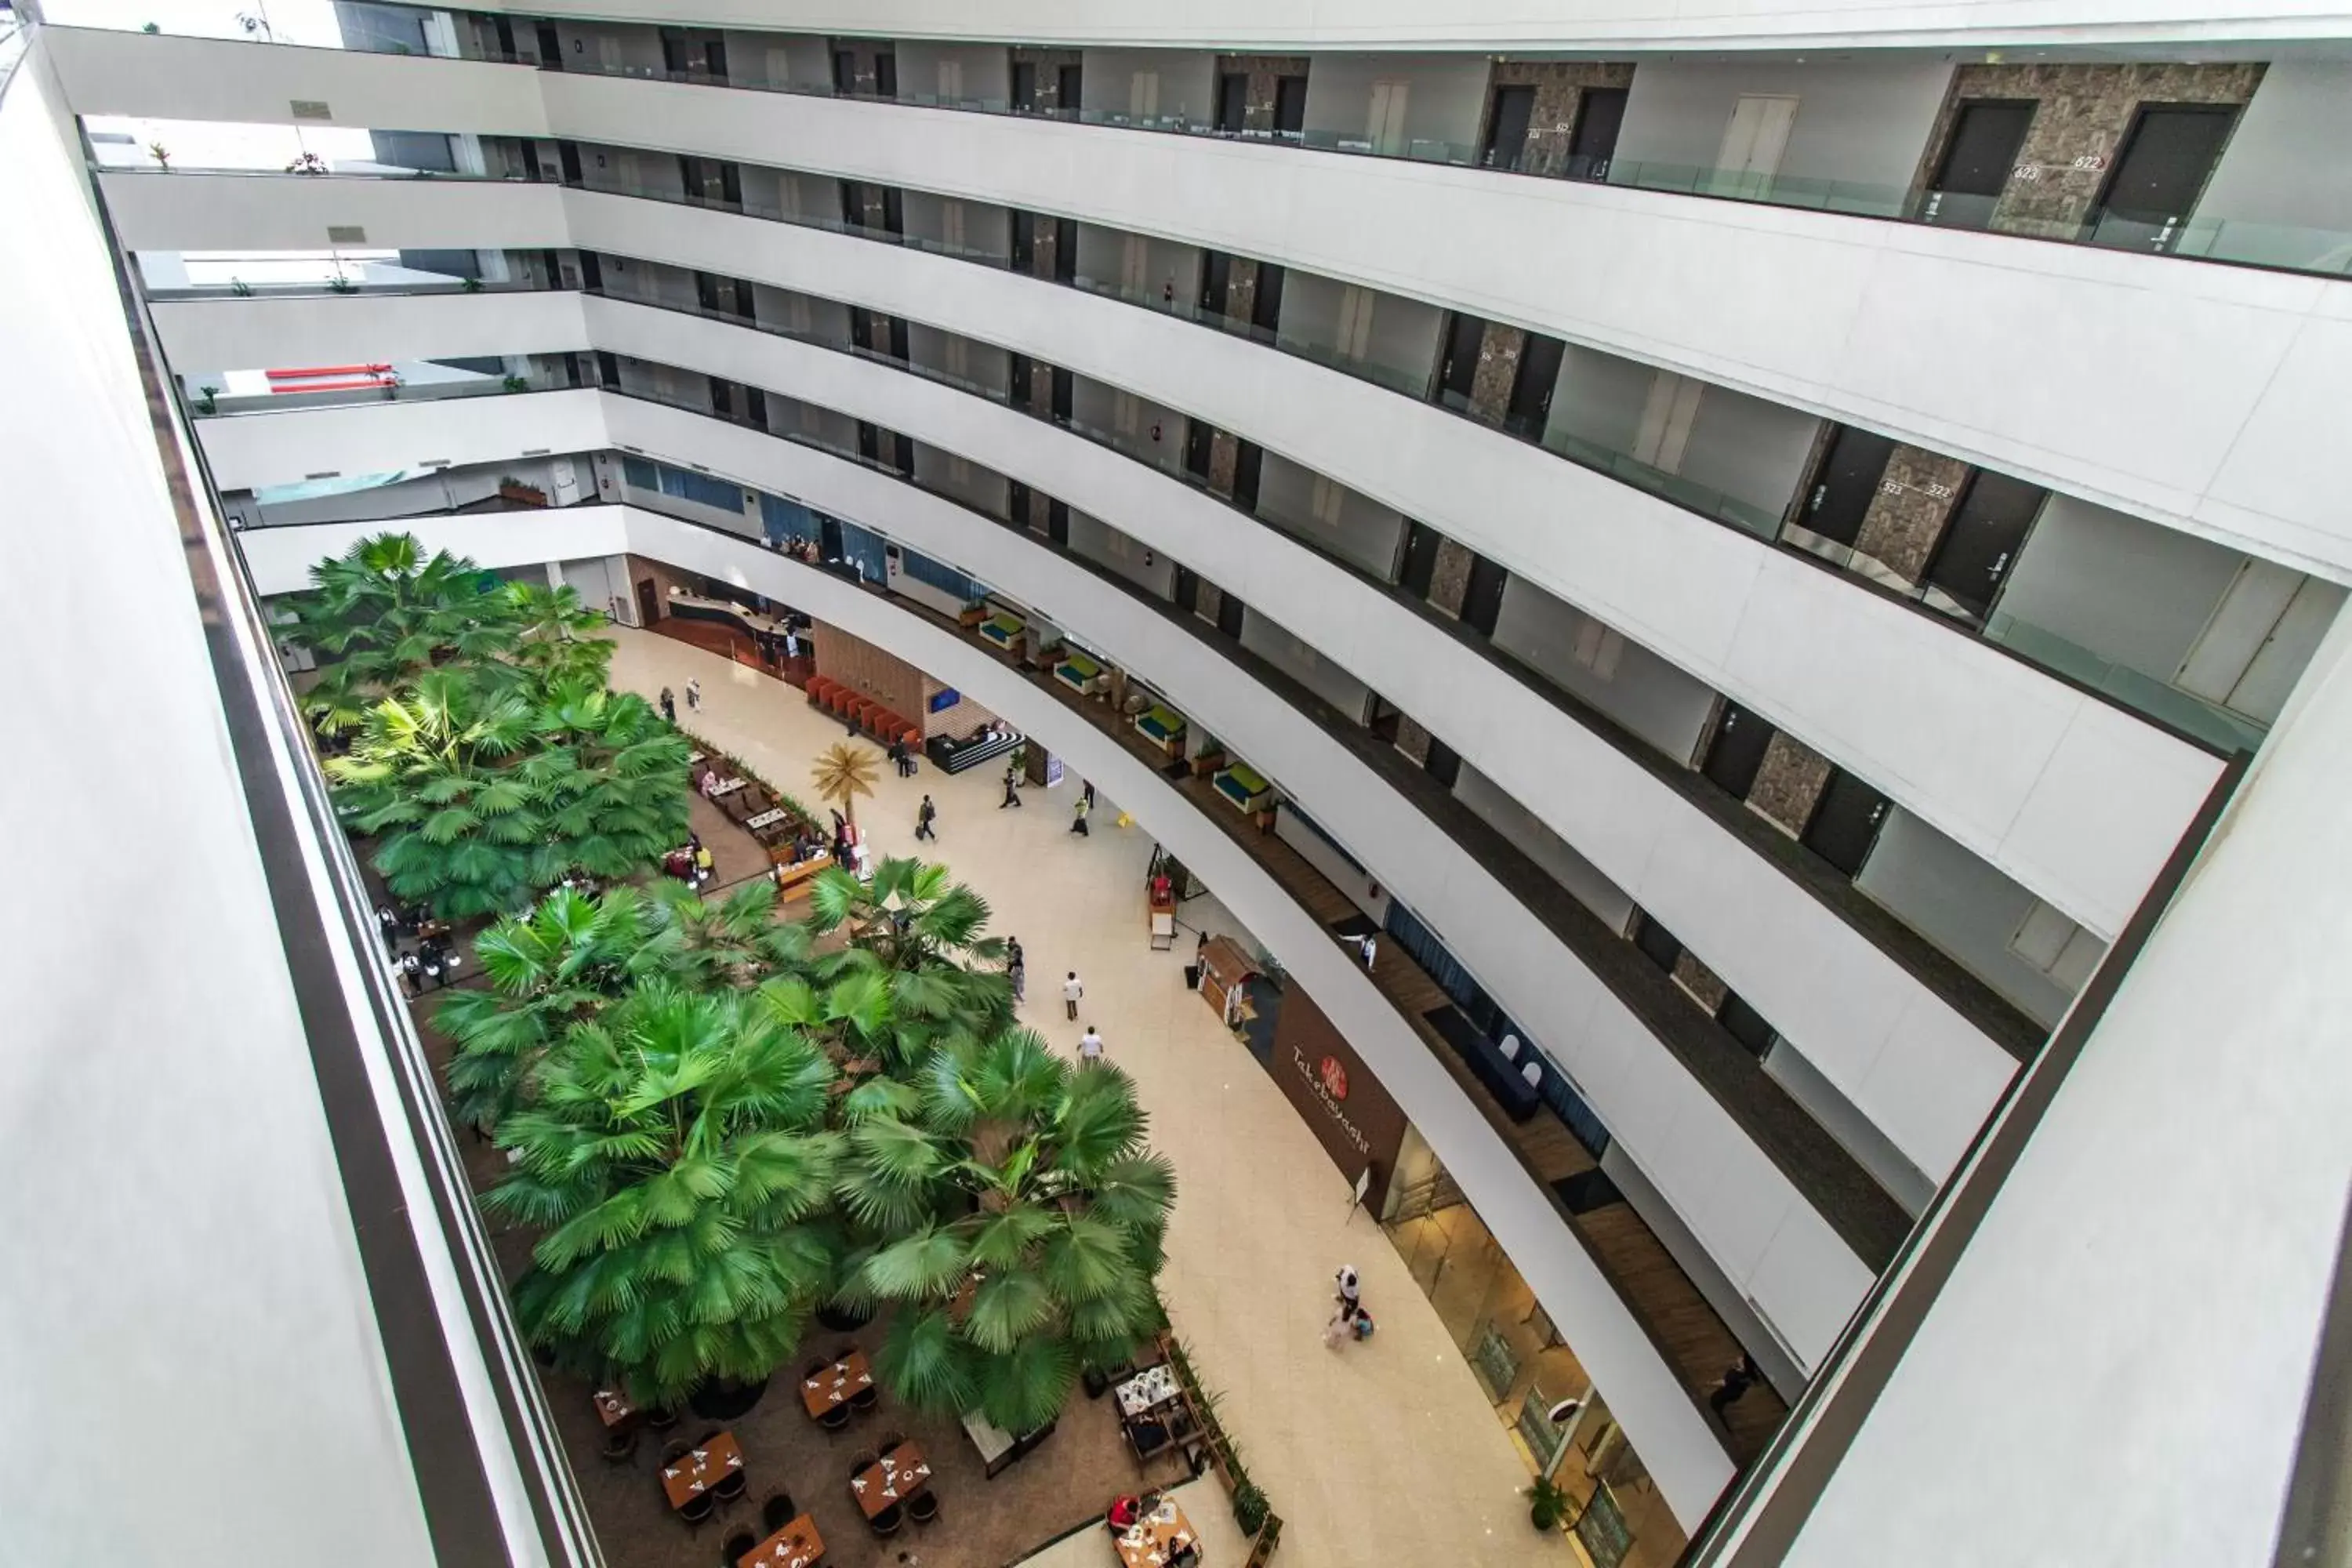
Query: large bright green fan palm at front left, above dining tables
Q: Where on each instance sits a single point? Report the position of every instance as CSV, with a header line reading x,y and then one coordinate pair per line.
x,y
676,1158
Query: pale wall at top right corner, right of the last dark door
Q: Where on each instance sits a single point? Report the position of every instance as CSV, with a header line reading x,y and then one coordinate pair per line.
x,y
2271,199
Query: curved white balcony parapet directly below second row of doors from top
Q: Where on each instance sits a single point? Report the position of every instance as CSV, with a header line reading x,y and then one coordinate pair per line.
x,y
1972,739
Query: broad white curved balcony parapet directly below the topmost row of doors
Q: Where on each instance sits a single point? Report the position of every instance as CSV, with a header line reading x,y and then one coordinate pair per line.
x,y
2193,396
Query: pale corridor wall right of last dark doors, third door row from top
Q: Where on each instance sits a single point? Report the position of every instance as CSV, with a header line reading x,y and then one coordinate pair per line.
x,y
1963,906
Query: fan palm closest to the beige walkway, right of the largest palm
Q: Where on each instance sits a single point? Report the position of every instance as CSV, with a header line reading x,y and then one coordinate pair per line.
x,y
1027,1214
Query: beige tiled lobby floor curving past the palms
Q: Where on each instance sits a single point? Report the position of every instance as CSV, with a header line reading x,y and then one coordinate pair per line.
x,y
1377,1454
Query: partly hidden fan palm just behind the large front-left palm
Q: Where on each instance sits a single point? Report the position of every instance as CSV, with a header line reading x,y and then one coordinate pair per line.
x,y
552,970
